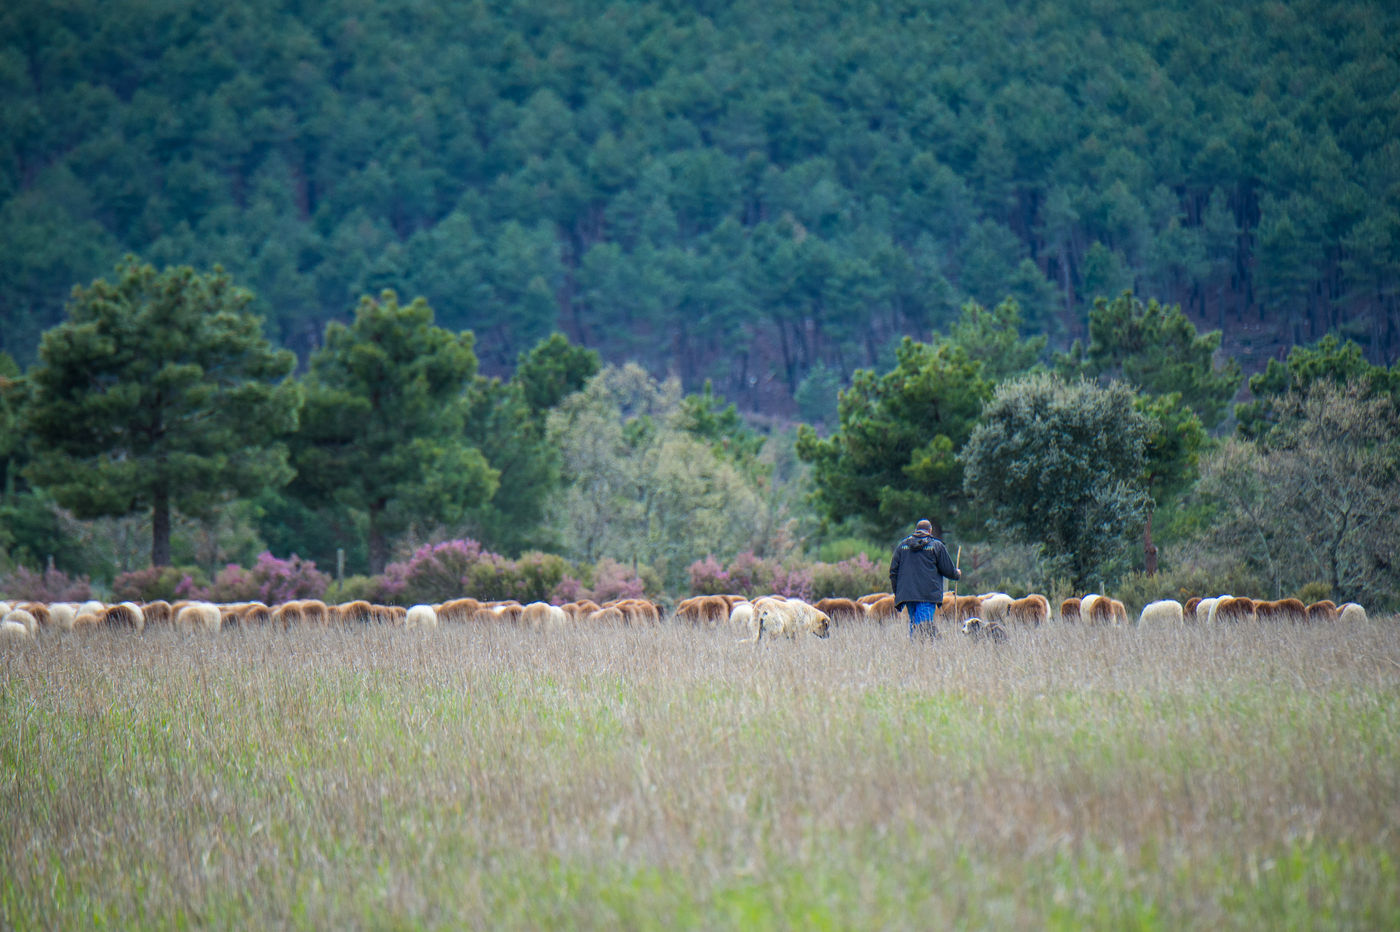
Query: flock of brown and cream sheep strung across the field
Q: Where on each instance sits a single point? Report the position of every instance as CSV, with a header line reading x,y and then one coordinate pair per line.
x,y
768,618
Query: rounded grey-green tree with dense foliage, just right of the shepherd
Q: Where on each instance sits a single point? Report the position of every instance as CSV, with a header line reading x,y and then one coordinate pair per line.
x,y
1060,465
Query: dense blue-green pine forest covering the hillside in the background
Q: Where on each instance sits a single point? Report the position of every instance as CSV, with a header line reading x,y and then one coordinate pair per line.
x,y
764,195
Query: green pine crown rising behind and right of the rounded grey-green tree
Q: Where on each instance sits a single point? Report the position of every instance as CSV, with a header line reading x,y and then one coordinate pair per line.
x,y
1156,349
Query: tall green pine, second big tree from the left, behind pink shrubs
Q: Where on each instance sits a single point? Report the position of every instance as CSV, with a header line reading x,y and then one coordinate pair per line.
x,y
383,430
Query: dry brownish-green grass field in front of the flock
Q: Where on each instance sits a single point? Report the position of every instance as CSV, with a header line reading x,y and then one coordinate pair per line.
x,y
492,777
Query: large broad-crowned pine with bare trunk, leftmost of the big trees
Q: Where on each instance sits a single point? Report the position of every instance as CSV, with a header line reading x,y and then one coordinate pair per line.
x,y
159,393
